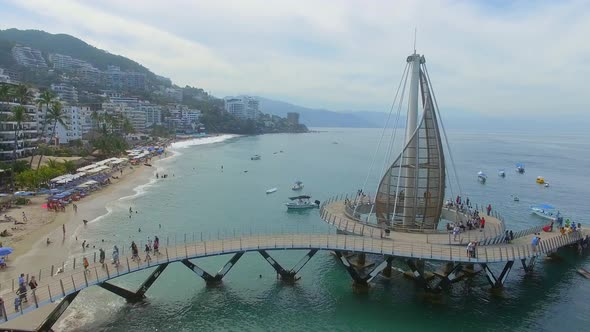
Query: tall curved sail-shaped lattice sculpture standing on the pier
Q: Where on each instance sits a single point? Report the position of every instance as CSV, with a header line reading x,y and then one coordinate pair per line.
x,y
411,193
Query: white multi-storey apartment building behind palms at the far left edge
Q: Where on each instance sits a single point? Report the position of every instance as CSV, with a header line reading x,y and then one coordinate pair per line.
x,y
27,135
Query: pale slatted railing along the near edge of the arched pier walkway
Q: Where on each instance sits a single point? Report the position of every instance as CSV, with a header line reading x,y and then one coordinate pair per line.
x,y
53,288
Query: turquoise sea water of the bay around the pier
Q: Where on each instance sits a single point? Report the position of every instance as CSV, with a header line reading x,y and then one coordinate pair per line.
x,y
201,200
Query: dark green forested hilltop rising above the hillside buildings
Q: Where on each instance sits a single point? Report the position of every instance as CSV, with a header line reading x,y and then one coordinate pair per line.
x,y
63,44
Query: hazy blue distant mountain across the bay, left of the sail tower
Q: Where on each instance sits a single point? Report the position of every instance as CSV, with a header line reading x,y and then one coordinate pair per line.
x,y
324,118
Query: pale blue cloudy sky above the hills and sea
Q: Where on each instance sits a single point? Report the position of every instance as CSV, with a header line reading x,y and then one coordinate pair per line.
x,y
530,58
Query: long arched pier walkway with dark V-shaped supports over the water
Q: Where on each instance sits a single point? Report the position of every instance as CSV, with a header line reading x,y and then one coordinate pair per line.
x,y
65,285
